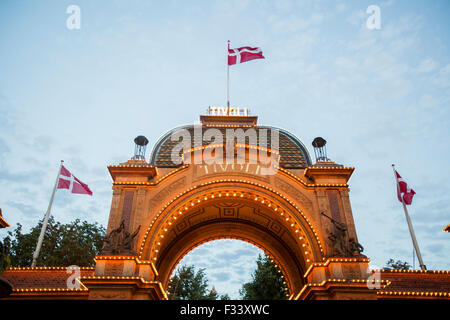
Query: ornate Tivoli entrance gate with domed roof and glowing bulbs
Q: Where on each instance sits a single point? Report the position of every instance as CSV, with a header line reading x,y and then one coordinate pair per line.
x,y
299,214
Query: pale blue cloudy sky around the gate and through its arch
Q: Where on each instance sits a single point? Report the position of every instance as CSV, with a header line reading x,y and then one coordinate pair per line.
x,y
378,96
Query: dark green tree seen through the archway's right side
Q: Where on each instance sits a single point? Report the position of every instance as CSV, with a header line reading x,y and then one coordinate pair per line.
x,y
267,283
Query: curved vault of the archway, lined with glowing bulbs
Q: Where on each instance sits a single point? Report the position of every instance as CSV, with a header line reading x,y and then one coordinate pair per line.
x,y
223,211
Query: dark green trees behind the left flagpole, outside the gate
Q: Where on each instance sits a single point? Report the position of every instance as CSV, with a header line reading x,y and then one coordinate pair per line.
x,y
75,243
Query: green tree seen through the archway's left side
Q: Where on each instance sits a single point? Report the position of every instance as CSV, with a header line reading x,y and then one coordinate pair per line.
x,y
187,284
